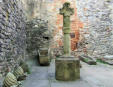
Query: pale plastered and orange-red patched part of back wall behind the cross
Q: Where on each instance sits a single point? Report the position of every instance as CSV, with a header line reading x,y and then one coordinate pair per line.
x,y
48,10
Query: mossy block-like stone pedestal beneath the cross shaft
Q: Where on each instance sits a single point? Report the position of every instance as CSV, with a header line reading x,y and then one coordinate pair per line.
x,y
67,69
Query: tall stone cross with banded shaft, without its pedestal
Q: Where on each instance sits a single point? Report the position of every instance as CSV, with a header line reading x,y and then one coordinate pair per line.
x,y
66,11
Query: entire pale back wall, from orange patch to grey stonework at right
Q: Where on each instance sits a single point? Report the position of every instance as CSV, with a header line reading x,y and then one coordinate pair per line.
x,y
92,23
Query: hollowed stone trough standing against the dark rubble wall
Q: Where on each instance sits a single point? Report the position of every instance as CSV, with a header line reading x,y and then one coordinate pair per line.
x,y
43,54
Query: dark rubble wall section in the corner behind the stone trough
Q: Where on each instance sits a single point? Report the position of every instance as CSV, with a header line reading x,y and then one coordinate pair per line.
x,y
38,36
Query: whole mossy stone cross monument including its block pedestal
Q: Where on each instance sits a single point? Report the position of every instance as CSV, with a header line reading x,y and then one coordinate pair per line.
x,y
67,66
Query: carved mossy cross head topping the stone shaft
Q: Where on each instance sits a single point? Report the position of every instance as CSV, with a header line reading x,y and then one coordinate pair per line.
x,y
66,10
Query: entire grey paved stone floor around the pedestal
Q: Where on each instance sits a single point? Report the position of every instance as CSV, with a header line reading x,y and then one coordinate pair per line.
x,y
100,75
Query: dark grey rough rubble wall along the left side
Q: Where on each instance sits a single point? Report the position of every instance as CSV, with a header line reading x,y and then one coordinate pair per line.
x,y
12,34
